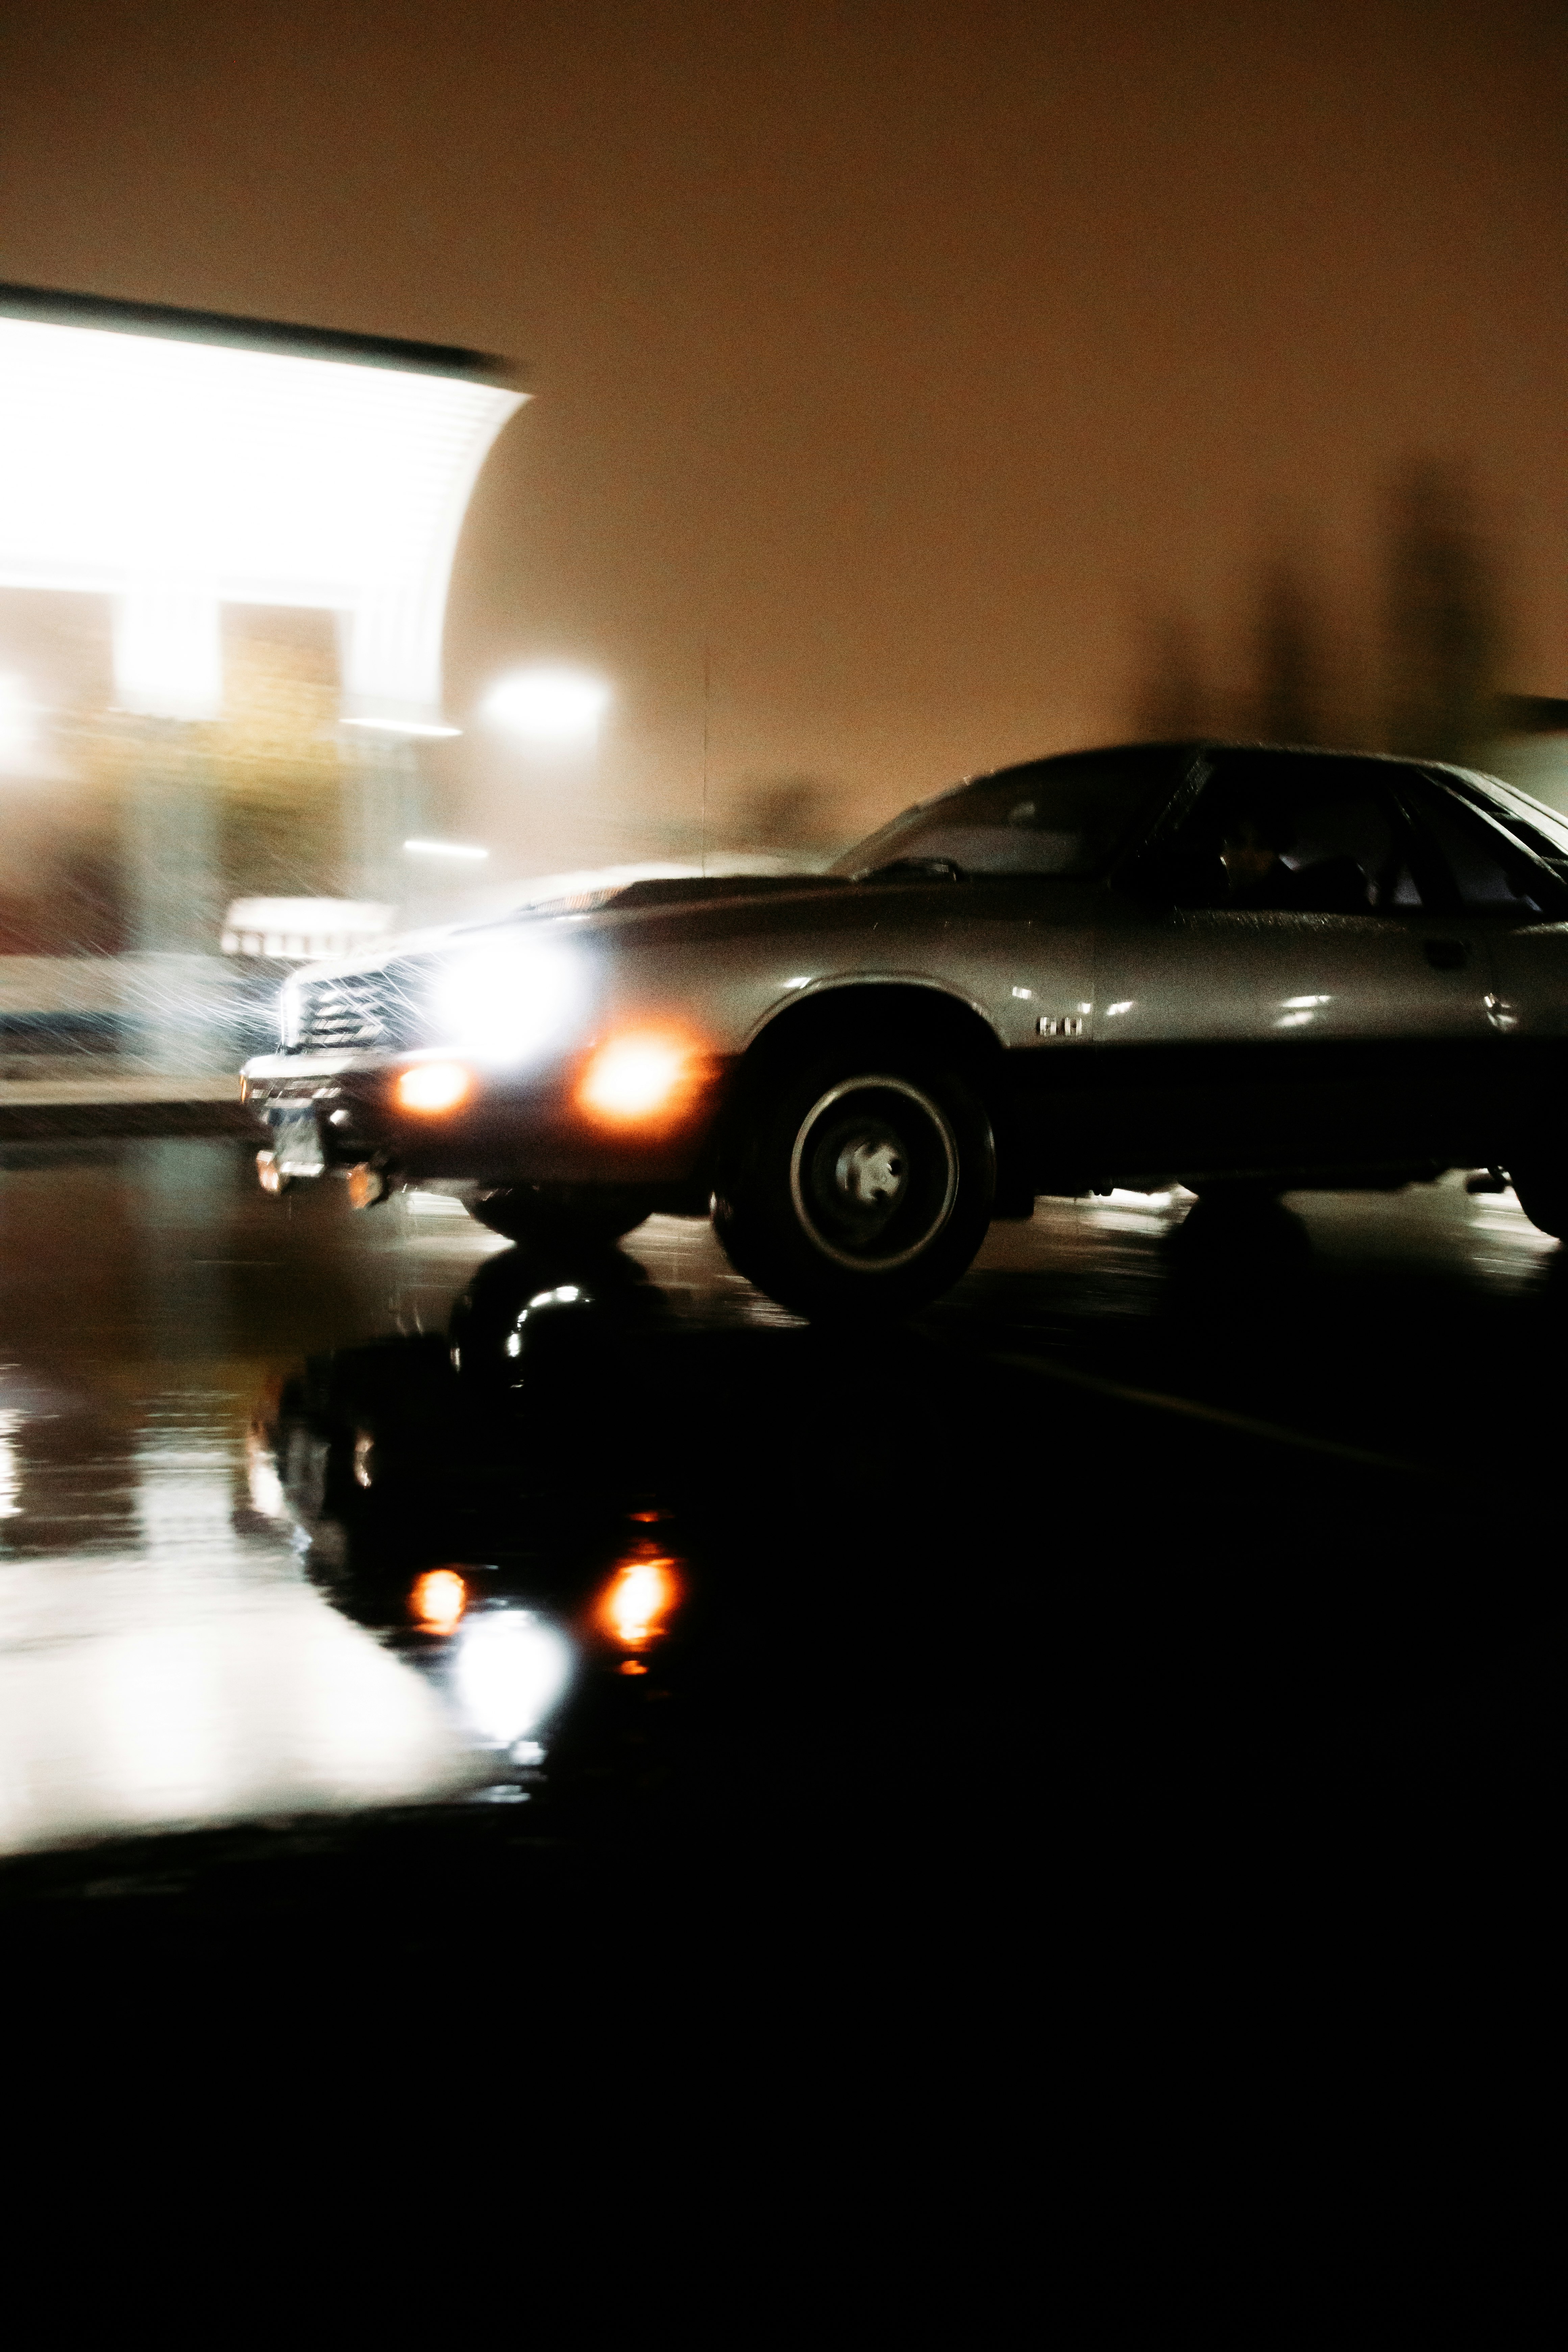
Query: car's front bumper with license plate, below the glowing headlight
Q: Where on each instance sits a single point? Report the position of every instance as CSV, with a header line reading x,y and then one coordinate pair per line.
x,y
507,1130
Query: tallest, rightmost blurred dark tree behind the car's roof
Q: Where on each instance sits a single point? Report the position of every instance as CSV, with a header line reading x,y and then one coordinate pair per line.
x,y
1445,620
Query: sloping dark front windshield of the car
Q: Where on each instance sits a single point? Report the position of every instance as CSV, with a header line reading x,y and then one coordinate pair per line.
x,y
1052,817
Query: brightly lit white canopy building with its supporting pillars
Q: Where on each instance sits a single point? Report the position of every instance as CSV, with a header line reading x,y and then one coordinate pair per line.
x,y
177,467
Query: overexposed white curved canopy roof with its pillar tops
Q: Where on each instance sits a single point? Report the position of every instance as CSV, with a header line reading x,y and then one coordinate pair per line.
x,y
154,460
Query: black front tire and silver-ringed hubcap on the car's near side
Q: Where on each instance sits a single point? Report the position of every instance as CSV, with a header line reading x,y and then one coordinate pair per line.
x,y
857,1187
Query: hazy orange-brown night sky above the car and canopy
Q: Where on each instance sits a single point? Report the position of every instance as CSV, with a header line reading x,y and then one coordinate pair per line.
x,y
902,354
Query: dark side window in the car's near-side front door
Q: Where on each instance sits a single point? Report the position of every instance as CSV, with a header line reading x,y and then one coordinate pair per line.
x,y
1275,834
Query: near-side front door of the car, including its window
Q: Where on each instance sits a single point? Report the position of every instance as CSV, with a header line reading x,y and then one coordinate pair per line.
x,y
1336,1015
